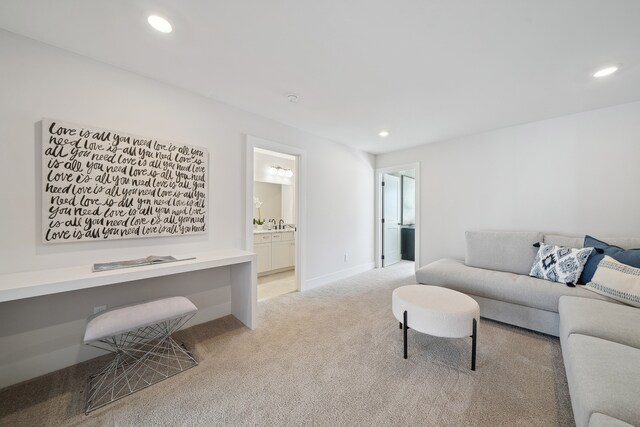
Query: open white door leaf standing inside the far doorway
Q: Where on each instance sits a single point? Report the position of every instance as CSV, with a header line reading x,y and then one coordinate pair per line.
x,y
390,220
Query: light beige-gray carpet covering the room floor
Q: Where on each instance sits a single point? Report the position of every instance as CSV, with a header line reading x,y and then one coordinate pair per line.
x,y
331,356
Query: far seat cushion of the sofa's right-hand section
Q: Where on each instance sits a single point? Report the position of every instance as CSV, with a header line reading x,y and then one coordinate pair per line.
x,y
601,319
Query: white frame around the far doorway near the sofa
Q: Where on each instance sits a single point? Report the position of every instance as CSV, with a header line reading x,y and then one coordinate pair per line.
x,y
378,210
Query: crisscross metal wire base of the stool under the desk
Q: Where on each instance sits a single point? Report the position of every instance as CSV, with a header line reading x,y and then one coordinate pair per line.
x,y
143,357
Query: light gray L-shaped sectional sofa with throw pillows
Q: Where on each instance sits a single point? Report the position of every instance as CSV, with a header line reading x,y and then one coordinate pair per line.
x,y
600,338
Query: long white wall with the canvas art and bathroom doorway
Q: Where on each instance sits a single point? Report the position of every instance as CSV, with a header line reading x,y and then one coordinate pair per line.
x,y
40,81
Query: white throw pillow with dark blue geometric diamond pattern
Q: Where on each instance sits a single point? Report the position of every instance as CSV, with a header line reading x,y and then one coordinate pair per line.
x,y
559,264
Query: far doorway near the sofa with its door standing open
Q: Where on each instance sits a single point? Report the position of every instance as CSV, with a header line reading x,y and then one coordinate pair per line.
x,y
397,215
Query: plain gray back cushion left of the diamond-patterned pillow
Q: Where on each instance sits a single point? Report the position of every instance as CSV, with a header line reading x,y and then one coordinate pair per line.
x,y
502,250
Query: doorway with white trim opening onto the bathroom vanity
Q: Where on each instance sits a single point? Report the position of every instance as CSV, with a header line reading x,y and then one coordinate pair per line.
x,y
274,216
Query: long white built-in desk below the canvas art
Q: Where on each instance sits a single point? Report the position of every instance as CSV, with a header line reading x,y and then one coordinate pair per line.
x,y
29,284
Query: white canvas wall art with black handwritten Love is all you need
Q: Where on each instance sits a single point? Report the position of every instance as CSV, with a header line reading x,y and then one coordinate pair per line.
x,y
100,184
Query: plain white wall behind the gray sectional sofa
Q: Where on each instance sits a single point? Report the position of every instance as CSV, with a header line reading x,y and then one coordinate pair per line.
x,y
575,175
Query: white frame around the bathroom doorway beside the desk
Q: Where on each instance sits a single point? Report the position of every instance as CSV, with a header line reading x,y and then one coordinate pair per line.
x,y
300,198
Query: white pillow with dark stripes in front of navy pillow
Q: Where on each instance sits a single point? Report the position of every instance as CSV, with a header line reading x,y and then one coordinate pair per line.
x,y
616,280
